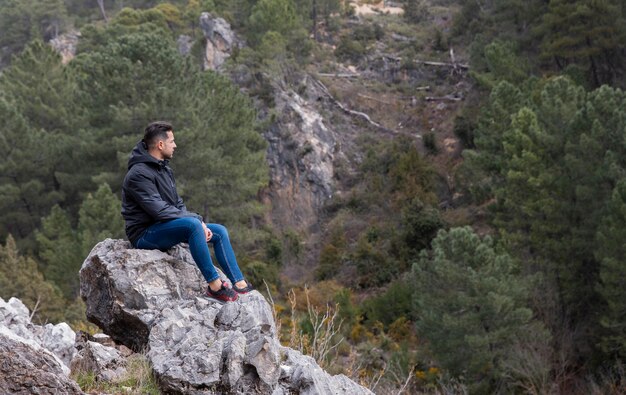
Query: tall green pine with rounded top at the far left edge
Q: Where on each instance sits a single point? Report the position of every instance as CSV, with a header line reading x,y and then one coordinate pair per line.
x,y
36,104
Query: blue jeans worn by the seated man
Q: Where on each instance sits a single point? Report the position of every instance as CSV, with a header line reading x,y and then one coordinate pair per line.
x,y
165,235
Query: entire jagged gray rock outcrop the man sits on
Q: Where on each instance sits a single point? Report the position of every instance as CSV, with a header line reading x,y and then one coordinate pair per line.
x,y
154,300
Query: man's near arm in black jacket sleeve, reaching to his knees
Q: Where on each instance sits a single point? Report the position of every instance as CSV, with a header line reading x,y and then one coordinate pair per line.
x,y
145,193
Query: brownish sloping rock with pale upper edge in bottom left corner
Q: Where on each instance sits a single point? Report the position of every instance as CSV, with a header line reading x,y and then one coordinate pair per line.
x,y
28,368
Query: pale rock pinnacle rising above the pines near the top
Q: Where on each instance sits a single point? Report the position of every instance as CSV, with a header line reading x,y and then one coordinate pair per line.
x,y
220,40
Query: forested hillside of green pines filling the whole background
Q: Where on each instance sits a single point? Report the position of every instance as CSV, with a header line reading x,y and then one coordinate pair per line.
x,y
495,267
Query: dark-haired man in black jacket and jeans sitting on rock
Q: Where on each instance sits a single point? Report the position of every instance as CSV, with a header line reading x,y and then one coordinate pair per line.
x,y
156,217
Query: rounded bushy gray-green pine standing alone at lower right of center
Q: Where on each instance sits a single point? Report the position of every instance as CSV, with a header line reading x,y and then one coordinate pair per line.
x,y
470,305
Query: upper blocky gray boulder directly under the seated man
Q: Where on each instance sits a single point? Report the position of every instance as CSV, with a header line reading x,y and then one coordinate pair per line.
x,y
126,288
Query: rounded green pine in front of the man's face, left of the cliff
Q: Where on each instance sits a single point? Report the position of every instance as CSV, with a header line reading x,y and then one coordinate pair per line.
x,y
222,161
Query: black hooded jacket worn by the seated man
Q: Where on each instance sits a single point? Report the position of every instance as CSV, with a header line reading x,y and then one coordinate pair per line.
x,y
149,194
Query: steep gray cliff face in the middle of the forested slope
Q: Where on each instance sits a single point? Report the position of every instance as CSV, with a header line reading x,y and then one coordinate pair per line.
x,y
307,155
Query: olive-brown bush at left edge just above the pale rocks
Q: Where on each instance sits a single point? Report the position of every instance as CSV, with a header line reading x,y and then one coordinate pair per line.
x,y
20,278
